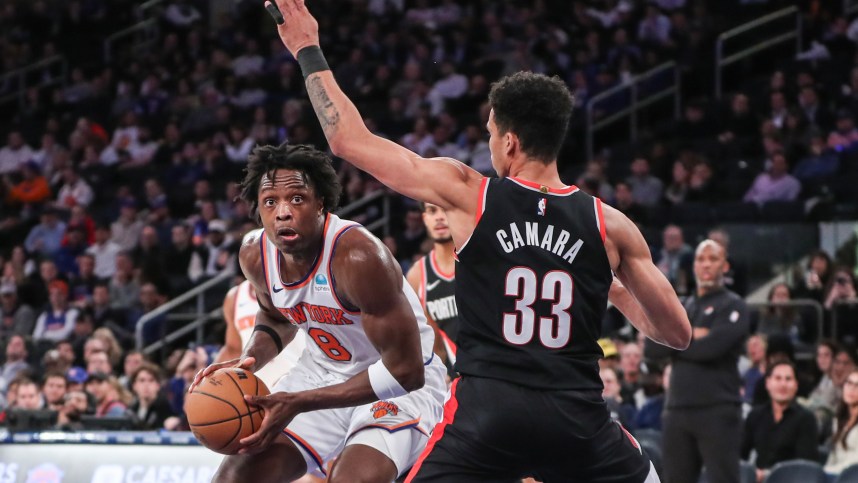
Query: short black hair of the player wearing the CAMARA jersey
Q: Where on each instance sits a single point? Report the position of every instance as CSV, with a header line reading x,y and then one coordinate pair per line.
x,y
535,107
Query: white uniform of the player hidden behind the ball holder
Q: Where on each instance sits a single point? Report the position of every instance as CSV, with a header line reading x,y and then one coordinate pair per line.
x,y
244,319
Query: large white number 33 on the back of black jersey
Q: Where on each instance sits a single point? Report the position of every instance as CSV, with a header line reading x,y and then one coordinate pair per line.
x,y
518,327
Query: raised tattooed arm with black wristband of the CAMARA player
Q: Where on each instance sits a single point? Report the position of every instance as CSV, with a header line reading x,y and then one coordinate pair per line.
x,y
445,182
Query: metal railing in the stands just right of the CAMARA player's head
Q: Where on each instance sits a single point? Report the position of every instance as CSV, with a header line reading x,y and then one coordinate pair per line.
x,y
642,91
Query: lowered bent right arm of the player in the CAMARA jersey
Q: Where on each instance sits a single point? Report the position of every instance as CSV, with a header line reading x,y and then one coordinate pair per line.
x,y
646,297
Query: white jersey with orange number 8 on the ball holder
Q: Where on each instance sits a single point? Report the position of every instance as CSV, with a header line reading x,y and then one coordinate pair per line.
x,y
336,341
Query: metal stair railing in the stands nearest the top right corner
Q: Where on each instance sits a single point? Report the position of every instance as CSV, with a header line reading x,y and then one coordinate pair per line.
x,y
760,25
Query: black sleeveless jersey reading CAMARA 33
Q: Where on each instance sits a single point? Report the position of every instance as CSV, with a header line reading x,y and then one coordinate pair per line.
x,y
532,286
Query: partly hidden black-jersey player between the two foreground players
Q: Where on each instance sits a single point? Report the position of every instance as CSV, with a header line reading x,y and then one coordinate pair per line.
x,y
433,277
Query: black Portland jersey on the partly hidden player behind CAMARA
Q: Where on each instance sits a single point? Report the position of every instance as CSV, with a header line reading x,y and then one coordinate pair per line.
x,y
438,295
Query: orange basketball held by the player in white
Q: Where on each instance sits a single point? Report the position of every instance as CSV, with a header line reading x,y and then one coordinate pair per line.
x,y
217,413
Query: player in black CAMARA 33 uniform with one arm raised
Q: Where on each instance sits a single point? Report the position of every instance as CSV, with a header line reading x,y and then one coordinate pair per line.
x,y
533,281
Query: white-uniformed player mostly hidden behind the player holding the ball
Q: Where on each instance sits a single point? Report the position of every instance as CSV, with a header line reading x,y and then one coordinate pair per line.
x,y
239,312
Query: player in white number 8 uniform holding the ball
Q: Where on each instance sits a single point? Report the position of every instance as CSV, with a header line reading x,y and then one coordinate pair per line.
x,y
368,387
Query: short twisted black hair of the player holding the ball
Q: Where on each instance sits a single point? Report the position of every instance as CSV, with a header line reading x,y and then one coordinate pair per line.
x,y
314,164
